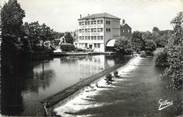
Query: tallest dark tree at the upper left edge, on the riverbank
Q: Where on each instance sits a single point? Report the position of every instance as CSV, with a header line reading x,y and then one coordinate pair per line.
x,y
12,35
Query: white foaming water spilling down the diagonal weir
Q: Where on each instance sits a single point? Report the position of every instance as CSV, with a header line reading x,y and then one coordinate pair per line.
x,y
84,100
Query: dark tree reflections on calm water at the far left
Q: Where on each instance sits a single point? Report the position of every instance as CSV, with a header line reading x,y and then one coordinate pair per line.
x,y
22,79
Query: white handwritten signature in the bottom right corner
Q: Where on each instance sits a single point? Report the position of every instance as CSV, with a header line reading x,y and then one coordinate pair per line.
x,y
164,104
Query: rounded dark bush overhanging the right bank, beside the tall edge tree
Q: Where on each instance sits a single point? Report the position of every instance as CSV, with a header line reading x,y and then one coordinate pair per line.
x,y
162,59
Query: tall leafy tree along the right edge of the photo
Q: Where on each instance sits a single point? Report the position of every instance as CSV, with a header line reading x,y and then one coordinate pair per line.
x,y
175,54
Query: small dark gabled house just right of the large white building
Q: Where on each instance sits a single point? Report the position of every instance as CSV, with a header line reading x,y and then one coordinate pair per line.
x,y
125,29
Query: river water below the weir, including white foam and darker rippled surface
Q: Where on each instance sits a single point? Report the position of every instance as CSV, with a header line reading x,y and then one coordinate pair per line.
x,y
138,92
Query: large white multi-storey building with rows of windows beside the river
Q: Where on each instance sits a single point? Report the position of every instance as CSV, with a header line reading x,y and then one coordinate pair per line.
x,y
96,30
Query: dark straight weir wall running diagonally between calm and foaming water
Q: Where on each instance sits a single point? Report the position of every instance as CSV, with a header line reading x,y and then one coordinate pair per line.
x,y
54,99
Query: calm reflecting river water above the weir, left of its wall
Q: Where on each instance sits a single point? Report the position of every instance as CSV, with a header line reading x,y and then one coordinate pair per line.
x,y
21,95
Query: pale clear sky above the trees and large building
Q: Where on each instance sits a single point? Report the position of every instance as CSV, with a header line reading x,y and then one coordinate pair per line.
x,y
141,15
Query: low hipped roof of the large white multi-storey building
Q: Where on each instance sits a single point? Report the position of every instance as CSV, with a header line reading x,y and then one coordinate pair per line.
x,y
100,15
